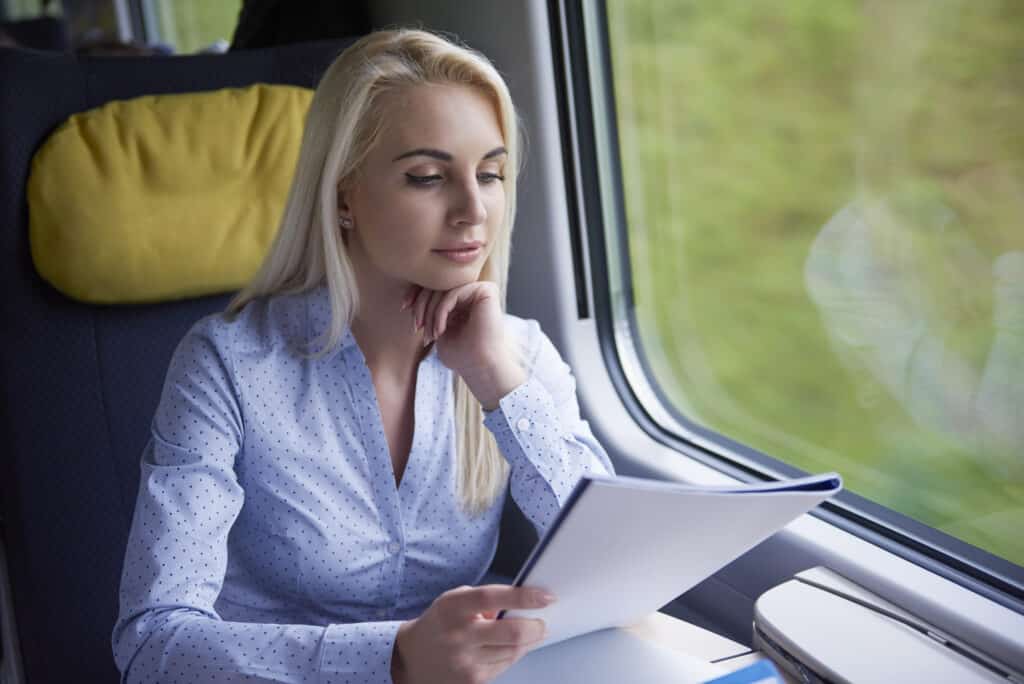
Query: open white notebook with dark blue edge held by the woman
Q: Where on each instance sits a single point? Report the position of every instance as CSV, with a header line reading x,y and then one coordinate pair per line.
x,y
624,547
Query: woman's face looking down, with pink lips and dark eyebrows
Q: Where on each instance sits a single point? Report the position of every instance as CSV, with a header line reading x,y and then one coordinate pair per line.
x,y
432,186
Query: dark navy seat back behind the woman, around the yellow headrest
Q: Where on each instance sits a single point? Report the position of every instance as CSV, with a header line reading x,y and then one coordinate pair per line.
x,y
79,383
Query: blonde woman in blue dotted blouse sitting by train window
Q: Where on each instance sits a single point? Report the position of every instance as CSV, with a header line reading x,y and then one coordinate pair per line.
x,y
322,488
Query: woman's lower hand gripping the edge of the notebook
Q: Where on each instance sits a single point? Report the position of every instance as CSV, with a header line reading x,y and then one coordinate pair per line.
x,y
458,640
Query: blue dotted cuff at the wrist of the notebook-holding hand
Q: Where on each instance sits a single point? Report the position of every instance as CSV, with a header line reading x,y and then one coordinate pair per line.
x,y
359,653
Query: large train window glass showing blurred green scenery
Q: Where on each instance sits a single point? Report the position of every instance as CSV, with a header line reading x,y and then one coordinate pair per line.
x,y
826,228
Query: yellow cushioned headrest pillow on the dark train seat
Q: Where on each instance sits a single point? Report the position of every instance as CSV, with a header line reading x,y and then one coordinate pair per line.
x,y
164,197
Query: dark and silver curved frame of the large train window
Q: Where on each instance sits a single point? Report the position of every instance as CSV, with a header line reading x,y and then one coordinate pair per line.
x,y
593,170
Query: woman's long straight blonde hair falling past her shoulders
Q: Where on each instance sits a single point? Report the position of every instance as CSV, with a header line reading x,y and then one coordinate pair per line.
x,y
345,122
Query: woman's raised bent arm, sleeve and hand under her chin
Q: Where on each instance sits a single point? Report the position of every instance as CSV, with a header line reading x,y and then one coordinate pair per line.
x,y
537,420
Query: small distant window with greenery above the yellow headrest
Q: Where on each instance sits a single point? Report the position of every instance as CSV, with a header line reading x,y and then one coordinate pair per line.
x,y
193,26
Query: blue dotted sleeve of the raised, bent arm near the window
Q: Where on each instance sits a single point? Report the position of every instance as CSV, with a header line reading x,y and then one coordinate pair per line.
x,y
539,430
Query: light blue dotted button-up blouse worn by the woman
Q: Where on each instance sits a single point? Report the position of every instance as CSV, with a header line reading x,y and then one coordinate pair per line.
x,y
270,541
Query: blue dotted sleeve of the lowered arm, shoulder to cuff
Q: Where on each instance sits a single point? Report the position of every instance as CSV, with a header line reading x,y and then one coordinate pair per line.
x,y
177,558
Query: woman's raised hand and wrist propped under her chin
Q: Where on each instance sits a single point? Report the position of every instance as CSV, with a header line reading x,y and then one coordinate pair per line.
x,y
468,327
